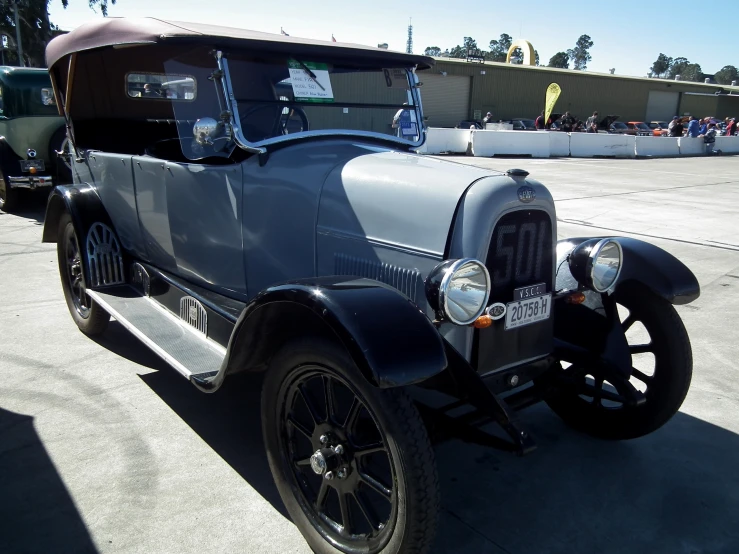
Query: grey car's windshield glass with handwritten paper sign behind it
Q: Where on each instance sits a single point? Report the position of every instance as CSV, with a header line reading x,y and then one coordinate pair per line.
x,y
303,94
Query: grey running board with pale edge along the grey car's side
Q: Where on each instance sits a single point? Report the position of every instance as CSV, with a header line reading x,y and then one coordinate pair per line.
x,y
177,342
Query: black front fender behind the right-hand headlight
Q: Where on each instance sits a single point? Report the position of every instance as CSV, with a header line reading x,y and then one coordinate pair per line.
x,y
643,262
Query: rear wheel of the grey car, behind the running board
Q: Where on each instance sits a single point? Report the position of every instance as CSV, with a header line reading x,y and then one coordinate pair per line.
x,y
89,316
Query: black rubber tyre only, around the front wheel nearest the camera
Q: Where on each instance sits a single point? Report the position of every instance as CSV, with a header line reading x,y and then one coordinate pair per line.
x,y
418,509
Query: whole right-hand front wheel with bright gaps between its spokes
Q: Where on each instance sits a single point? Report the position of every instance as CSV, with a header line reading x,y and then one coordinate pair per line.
x,y
662,367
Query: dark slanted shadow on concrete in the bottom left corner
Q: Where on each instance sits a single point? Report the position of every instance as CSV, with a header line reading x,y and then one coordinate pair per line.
x,y
35,506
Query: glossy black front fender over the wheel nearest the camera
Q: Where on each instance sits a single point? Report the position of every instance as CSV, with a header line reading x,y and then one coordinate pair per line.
x,y
389,338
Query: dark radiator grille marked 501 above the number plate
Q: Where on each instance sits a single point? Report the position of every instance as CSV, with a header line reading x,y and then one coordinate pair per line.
x,y
520,253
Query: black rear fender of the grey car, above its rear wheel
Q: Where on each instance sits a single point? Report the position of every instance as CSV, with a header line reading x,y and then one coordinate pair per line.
x,y
83,204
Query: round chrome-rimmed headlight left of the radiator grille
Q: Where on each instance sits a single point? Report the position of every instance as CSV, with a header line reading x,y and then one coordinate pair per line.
x,y
458,290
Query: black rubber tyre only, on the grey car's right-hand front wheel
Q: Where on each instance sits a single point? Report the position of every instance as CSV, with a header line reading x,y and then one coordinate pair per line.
x,y
673,373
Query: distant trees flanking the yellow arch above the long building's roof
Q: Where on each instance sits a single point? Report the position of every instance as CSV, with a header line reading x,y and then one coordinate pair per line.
x,y
497,51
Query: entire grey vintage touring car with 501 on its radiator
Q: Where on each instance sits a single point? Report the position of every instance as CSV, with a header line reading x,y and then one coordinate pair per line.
x,y
248,202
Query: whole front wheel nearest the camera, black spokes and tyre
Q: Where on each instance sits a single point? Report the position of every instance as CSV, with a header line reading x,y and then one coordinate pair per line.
x,y
352,462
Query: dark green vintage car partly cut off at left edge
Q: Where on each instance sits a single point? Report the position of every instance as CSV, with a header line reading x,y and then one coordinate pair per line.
x,y
31,133
